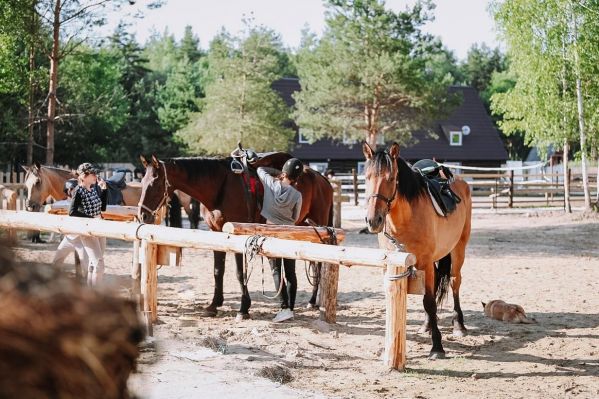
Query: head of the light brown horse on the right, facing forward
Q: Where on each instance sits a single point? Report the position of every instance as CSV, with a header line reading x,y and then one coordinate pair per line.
x,y
381,184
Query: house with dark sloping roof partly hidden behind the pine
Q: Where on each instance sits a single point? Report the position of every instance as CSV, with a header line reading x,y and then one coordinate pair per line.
x,y
467,137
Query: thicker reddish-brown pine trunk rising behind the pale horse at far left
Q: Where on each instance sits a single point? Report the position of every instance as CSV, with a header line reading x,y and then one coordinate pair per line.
x,y
54,58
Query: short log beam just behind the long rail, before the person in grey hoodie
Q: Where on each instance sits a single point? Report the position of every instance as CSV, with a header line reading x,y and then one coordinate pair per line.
x,y
301,233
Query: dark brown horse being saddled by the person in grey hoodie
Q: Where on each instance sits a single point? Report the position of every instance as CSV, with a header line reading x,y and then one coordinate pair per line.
x,y
223,197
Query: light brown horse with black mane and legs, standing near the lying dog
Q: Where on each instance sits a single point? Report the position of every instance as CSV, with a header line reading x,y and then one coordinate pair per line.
x,y
399,203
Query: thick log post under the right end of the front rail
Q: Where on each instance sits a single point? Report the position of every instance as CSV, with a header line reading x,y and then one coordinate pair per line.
x,y
395,318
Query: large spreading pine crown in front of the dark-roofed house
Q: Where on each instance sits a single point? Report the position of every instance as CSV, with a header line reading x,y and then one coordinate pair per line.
x,y
368,75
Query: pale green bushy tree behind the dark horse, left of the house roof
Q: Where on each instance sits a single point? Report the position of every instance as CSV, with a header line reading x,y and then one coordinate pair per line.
x,y
240,104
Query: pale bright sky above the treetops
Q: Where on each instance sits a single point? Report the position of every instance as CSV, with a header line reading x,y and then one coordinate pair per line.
x,y
459,23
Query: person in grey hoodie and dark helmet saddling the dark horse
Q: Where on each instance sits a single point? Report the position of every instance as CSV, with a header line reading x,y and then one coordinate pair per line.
x,y
282,205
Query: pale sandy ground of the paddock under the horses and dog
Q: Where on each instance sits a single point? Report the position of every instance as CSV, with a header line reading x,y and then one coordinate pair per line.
x,y
546,262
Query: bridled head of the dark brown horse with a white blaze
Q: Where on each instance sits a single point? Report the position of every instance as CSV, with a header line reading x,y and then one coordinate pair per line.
x,y
155,189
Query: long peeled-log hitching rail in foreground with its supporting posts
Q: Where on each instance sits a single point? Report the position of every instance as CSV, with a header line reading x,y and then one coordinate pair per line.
x,y
153,235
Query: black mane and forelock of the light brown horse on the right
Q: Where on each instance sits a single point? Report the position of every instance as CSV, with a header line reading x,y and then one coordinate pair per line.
x,y
410,184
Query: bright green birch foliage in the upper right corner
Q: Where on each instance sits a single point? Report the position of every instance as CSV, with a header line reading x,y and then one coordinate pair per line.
x,y
542,48
